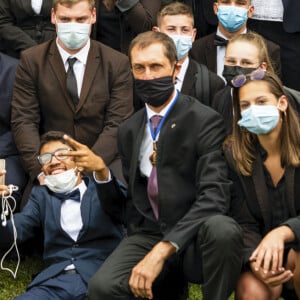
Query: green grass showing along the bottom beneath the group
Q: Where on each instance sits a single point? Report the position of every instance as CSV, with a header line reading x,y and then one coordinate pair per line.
x,y
10,287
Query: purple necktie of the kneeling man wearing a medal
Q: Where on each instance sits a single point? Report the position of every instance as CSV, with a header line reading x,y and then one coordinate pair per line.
x,y
152,187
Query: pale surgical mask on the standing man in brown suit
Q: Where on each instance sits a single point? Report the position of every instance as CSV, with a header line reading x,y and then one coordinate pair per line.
x,y
73,35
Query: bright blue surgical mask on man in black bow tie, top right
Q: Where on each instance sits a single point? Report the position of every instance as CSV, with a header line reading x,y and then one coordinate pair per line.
x,y
232,17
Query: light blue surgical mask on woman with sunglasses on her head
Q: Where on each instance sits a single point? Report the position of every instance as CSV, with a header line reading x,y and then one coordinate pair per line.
x,y
259,119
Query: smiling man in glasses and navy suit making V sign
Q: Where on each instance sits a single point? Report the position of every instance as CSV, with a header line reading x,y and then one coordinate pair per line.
x,y
78,232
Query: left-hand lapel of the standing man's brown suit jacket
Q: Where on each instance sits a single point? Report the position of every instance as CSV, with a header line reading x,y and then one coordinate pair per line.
x,y
59,71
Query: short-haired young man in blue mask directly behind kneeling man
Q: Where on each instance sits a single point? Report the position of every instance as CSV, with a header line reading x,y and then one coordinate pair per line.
x,y
176,20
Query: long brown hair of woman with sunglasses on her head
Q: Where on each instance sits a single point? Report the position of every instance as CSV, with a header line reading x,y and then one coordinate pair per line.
x,y
242,142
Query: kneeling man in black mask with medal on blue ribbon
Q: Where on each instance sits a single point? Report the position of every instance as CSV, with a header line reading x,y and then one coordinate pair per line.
x,y
178,189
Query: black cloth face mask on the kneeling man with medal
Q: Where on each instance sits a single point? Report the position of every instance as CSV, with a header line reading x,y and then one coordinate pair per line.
x,y
154,92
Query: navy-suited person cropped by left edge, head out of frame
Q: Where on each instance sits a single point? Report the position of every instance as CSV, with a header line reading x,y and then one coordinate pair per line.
x,y
8,151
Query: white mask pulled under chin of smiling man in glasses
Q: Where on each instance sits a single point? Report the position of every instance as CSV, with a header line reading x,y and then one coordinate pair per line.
x,y
63,182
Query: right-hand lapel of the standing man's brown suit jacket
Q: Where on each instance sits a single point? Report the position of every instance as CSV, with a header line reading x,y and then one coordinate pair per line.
x,y
91,68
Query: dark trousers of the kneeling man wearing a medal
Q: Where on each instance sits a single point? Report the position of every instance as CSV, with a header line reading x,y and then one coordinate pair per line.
x,y
213,260
